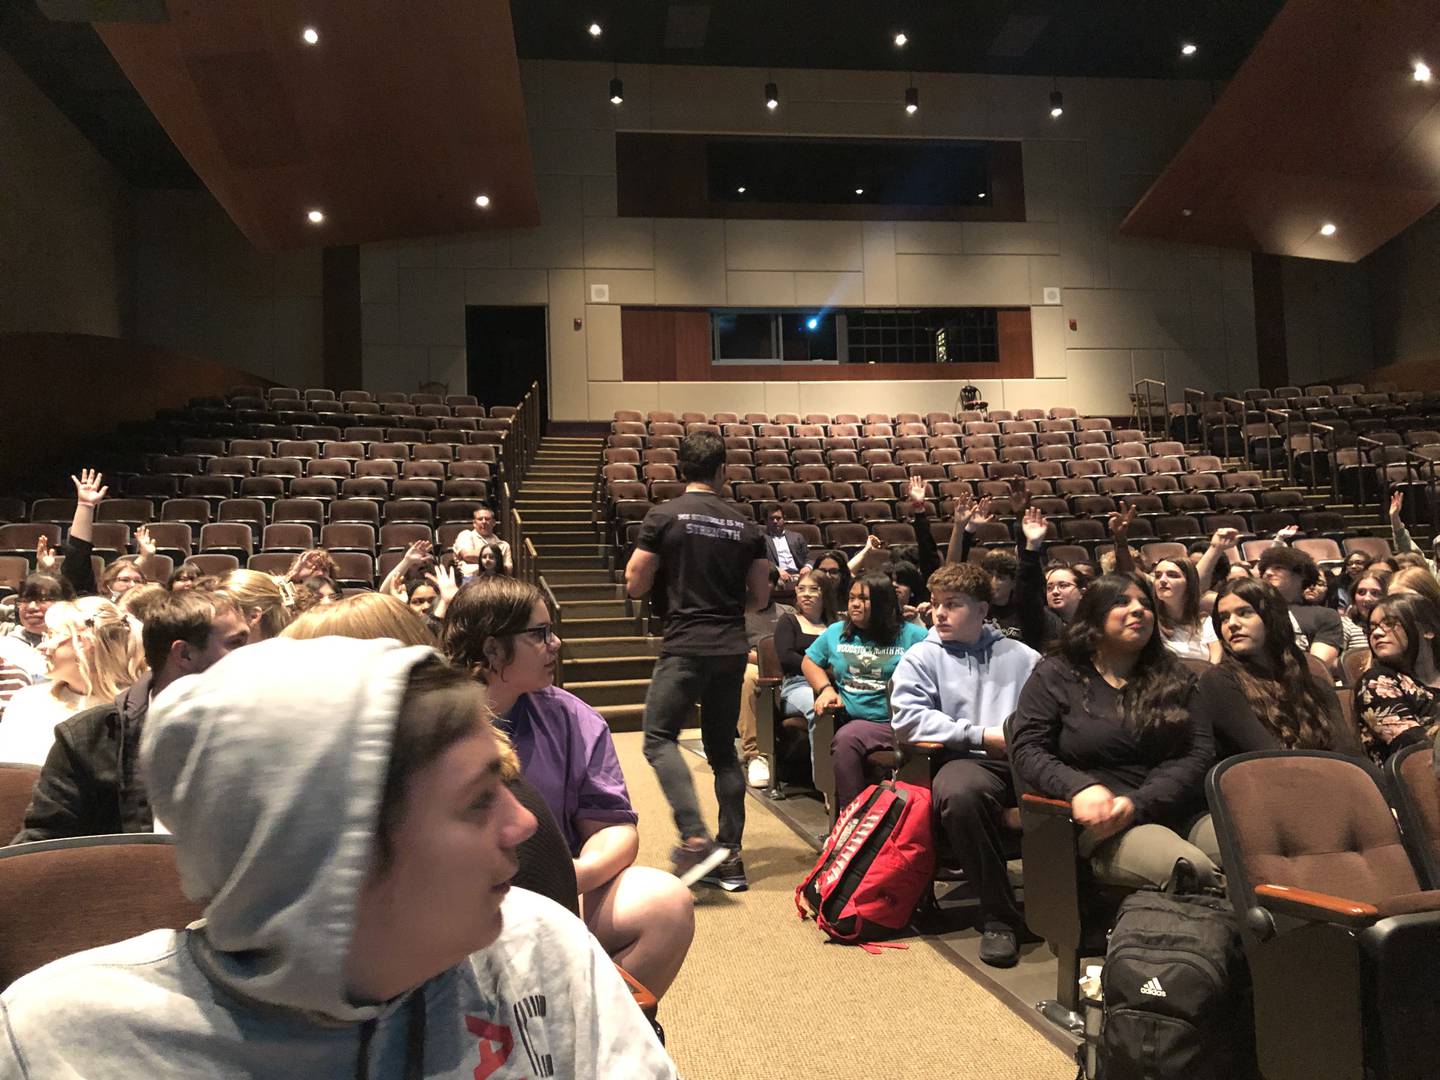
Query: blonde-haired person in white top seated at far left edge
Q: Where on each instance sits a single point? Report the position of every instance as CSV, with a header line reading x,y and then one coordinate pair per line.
x,y
93,656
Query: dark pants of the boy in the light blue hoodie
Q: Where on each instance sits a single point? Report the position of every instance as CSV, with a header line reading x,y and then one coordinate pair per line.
x,y
970,797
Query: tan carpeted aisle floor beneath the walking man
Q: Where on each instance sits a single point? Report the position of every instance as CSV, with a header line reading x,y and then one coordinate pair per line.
x,y
765,996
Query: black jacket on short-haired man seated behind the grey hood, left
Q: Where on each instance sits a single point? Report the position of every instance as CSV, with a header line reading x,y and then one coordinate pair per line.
x,y
91,781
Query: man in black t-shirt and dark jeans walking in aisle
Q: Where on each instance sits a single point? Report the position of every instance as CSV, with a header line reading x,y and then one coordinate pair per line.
x,y
703,567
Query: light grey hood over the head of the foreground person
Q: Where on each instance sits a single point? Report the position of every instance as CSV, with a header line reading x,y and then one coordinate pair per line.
x,y
270,770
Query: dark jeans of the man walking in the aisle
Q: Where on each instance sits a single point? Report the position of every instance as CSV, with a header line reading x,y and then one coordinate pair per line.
x,y
678,685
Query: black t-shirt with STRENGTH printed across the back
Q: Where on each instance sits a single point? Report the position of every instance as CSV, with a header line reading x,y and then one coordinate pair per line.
x,y
706,551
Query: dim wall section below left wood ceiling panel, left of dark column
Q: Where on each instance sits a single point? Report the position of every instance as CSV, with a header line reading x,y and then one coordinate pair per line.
x,y
202,289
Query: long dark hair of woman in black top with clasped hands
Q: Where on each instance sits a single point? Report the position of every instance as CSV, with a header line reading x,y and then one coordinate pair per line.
x,y
1157,693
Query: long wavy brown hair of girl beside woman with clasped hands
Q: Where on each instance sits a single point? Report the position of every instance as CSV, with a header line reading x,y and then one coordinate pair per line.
x,y
1278,682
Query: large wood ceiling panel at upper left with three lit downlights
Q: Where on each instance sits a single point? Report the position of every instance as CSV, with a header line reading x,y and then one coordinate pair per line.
x,y
391,126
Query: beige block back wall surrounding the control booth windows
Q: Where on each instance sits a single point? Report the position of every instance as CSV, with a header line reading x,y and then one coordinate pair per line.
x,y
1141,309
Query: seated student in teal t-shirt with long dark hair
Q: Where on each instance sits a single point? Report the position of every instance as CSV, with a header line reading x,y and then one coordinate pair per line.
x,y
849,666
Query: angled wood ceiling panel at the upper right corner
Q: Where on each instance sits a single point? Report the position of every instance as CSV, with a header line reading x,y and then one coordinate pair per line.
x,y
1324,123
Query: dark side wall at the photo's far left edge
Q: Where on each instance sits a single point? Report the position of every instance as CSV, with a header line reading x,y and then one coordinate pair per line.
x,y
64,221
